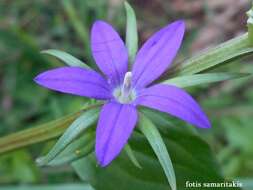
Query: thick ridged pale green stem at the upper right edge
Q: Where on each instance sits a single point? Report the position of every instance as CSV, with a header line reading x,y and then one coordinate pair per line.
x,y
223,53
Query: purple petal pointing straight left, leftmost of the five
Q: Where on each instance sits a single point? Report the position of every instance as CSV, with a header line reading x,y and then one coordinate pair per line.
x,y
75,80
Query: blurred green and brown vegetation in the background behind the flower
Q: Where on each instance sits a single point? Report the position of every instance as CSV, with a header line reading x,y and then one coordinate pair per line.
x,y
27,27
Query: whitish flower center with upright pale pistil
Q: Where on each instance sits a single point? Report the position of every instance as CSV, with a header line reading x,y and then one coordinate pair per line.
x,y
125,94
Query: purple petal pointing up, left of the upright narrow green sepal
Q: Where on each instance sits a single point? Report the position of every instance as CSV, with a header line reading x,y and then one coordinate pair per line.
x,y
109,51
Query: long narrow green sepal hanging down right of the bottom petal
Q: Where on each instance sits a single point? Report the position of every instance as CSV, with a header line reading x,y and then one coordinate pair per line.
x,y
157,144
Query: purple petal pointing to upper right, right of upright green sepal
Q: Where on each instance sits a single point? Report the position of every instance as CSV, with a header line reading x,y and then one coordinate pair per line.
x,y
157,54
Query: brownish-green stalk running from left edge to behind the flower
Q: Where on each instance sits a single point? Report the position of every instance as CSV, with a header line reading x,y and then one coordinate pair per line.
x,y
38,134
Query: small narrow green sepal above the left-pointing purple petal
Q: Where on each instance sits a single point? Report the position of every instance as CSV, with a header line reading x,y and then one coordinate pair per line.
x,y
65,57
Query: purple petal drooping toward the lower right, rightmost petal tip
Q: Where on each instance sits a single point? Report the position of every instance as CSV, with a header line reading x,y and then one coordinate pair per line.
x,y
174,101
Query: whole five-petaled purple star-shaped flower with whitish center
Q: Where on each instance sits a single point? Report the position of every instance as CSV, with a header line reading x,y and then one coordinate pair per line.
x,y
123,90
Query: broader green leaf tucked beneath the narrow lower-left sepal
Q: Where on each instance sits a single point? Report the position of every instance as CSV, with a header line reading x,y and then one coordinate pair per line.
x,y
76,150
